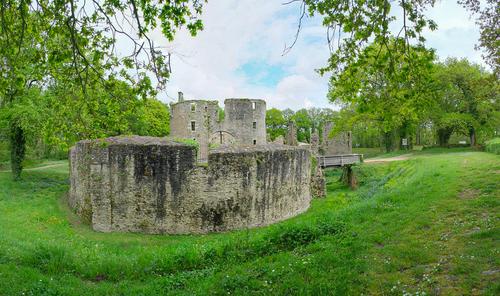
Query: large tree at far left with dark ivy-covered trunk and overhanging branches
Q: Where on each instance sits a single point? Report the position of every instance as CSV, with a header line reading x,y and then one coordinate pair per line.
x,y
46,43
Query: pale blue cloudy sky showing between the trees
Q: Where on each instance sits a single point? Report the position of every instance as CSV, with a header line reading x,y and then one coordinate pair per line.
x,y
239,54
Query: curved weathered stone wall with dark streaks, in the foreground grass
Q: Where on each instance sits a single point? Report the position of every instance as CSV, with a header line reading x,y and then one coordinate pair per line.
x,y
153,185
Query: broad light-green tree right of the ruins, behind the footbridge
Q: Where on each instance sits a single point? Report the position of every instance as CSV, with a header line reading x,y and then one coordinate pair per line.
x,y
395,100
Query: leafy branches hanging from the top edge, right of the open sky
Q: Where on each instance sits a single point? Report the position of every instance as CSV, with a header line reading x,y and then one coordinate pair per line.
x,y
352,25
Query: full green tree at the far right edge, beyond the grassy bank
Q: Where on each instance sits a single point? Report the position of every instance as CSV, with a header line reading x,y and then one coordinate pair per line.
x,y
467,100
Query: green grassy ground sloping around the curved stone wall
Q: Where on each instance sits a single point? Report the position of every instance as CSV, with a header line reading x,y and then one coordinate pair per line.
x,y
430,224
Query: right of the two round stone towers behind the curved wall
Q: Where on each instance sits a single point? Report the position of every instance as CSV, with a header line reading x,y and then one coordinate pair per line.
x,y
245,119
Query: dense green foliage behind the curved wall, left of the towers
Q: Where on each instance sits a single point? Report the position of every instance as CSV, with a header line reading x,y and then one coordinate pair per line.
x,y
72,116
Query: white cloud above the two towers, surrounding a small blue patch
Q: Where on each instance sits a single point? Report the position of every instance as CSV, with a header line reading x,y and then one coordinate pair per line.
x,y
239,32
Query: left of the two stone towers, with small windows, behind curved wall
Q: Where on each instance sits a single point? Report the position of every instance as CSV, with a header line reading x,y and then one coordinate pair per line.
x,y
204,114
